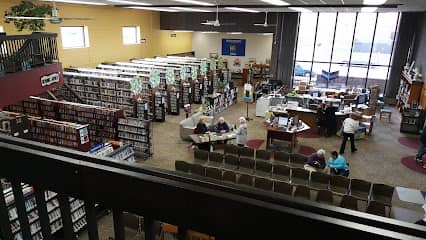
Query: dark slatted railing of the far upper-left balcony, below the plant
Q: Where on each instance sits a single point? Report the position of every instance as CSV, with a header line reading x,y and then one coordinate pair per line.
x,y
23,52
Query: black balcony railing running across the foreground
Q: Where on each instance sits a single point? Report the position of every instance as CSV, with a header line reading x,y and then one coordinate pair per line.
x,y
224,211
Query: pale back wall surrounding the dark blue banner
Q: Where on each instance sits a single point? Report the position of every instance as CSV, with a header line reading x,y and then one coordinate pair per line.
x,y
257,46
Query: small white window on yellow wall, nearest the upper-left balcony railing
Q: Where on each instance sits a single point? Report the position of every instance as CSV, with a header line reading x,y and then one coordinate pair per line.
x,y
75,37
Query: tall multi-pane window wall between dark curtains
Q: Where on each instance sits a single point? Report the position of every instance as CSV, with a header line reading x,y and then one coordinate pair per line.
x,y
338,50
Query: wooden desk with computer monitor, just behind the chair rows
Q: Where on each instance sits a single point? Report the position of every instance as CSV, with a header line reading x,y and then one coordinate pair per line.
x,y
284,134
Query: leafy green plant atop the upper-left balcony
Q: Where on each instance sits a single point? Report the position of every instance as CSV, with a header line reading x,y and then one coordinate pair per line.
x,y
28,9
